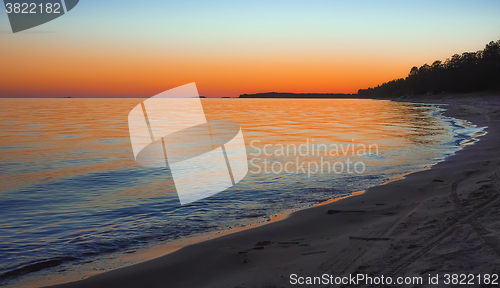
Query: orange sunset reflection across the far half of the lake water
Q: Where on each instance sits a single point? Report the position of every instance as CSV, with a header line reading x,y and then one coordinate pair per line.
x,y
55,137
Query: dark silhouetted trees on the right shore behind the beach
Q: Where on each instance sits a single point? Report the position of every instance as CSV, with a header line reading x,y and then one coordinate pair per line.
x,y
469,72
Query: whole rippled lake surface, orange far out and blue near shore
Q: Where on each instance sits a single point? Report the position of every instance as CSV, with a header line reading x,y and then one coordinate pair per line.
x,y
71,190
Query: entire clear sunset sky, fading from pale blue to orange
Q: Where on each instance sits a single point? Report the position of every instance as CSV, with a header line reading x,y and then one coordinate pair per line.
x,y
141,48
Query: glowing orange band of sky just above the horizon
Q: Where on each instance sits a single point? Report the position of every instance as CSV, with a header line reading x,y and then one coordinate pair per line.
x,y
59,72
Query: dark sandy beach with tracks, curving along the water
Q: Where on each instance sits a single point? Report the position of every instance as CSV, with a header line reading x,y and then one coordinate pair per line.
x,y
442,220
